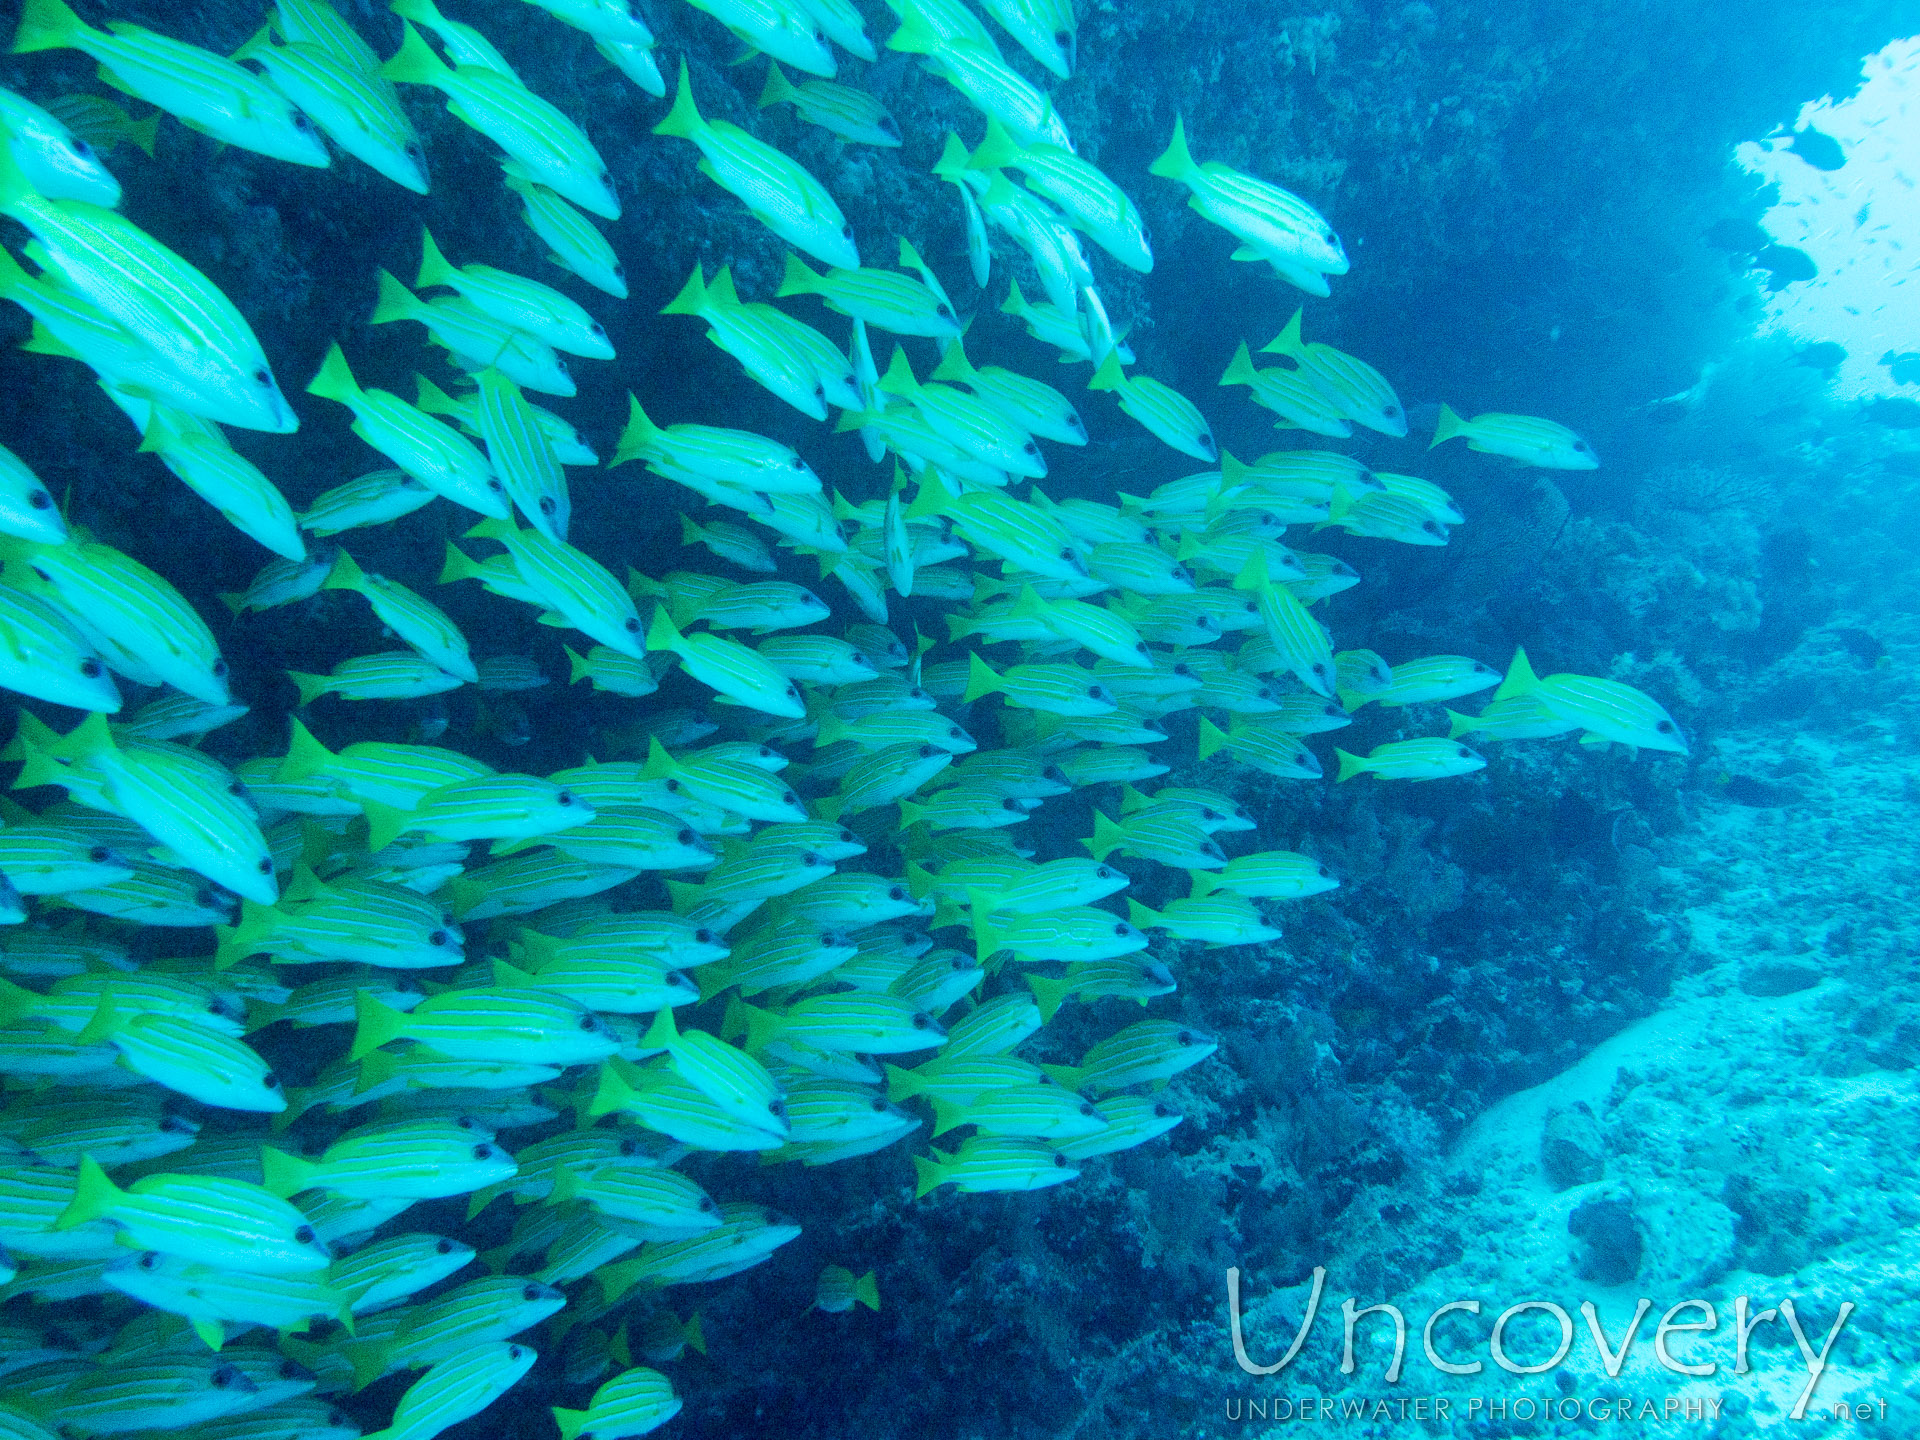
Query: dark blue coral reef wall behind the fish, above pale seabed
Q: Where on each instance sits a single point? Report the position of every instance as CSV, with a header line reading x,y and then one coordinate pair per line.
x,y
1524,189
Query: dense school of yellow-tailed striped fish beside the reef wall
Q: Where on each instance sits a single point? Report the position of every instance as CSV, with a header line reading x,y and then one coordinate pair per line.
x,y
857,944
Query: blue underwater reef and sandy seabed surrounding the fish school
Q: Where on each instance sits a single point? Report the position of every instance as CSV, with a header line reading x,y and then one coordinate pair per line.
x,y
1585,1024
